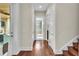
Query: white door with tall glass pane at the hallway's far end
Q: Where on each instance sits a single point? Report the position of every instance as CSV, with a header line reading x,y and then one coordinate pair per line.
x,y
39,28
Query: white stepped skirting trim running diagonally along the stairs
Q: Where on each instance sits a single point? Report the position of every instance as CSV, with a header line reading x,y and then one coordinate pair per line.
x,y
65,47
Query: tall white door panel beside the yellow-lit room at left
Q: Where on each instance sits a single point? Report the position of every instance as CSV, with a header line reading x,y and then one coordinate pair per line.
x,y
15,29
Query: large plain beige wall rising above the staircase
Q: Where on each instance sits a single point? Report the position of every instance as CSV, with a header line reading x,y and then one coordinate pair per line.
x,y
66,23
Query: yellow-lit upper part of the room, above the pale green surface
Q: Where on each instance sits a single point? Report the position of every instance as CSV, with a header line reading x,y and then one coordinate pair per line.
x,y
4,19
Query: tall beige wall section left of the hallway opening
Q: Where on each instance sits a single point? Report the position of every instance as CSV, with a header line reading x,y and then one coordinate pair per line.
x,y
26,26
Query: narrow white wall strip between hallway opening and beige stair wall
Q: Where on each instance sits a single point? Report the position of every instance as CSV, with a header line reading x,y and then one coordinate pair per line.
x,y
50,18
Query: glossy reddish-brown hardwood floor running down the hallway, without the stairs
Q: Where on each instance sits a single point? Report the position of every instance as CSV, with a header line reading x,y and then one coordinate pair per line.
x,y
40,48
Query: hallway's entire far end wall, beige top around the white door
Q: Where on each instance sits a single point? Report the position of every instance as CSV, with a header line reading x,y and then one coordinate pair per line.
x,y
39,27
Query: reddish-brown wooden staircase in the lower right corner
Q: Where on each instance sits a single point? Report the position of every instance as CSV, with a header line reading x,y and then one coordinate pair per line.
x,y
72,50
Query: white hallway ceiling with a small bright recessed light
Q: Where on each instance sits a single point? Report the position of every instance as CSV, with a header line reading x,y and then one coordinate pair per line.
x,y
36,6
